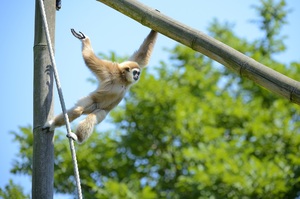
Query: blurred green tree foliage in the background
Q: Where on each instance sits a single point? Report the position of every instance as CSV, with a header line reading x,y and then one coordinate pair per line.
x,y
193,129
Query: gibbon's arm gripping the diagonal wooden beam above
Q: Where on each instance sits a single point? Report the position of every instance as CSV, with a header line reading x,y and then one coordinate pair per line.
x,y
142,55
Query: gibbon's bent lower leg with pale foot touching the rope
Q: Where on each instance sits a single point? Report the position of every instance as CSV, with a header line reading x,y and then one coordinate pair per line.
x,y
86,126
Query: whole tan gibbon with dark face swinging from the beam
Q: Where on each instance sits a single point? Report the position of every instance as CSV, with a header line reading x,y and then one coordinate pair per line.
x,y
114,80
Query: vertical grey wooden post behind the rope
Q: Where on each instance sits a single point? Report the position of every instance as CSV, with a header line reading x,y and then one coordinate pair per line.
x,y
43,149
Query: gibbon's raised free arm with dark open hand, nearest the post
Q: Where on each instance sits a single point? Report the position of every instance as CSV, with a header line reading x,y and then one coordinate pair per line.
x,y
98,66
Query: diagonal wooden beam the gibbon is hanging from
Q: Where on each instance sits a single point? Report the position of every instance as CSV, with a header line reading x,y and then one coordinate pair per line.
x,y
216,50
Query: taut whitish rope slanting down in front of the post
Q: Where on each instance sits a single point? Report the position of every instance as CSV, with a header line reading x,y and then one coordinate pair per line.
x,y
62,102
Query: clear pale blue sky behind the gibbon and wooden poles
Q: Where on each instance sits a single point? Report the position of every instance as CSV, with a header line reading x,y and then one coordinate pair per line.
x,y
109,31
